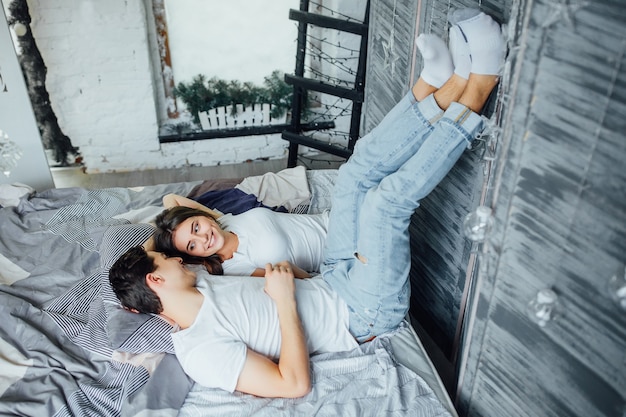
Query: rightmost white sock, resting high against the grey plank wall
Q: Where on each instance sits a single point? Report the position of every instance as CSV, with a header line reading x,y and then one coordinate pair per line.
x,y
486,43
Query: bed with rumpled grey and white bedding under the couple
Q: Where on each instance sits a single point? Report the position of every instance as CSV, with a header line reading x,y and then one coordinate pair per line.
x,y
68,349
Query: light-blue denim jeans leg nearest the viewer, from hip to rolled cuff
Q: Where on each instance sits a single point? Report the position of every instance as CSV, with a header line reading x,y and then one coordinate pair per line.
x,y
374,280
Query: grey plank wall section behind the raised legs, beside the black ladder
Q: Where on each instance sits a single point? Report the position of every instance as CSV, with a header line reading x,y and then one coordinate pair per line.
x,y
441,254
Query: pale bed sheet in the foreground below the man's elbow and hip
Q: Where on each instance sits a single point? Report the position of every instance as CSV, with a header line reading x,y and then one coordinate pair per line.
x,y
390,376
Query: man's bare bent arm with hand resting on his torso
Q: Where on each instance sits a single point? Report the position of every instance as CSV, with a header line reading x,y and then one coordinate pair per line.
x,y
290,377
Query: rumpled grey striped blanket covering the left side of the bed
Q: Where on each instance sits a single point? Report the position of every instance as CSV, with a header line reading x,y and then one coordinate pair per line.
x,y
56,353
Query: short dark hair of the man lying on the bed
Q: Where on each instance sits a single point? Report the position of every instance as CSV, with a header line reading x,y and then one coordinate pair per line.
x,y
128,279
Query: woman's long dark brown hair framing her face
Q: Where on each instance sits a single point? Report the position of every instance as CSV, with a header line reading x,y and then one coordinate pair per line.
x,y
167,221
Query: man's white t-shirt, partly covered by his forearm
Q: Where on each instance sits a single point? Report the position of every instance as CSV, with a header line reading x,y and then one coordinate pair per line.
x,y
236,313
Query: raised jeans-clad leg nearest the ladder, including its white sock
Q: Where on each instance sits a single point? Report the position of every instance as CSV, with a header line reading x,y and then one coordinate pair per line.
x,y
388,146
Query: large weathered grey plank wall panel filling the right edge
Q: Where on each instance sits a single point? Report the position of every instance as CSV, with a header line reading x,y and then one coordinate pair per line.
x,y
560,201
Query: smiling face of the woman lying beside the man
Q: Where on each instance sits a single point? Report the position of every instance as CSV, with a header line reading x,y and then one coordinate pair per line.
x,y
198,236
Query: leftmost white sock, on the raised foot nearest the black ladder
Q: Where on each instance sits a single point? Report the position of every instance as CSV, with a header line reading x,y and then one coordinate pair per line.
x,y
438,66
